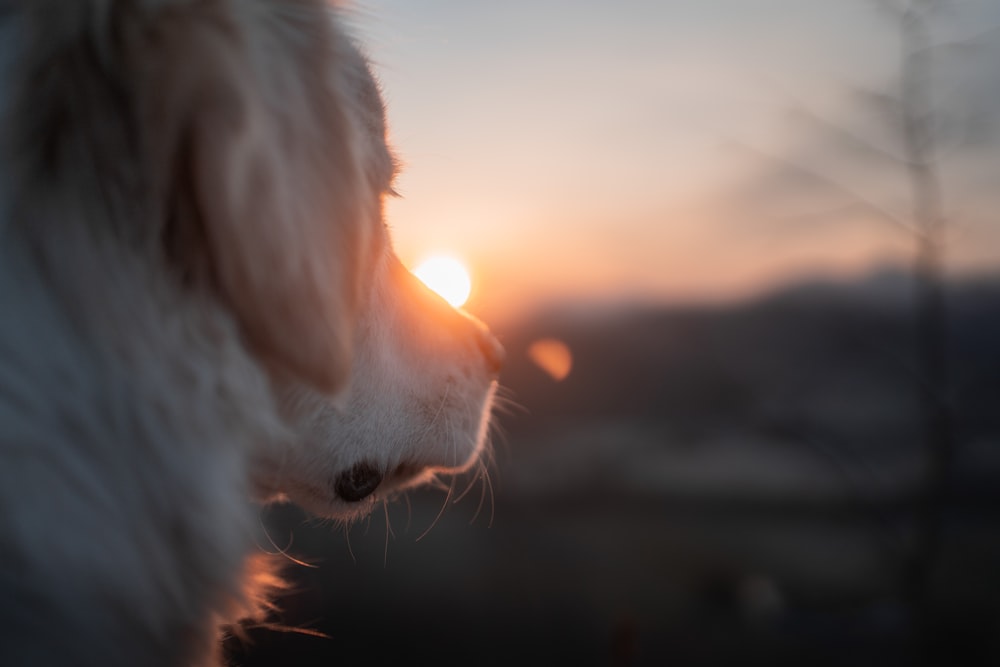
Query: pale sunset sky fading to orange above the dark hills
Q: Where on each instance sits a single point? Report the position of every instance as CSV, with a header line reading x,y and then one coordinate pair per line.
x,y
591,151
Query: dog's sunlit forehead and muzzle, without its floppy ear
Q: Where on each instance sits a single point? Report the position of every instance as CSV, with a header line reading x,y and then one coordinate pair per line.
x,y
422,374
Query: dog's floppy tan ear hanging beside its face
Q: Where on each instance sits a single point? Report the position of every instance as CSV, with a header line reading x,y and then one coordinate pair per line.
x,y
256,159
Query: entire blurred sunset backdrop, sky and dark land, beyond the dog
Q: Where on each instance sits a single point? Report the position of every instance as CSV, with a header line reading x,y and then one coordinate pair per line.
x,y
743,255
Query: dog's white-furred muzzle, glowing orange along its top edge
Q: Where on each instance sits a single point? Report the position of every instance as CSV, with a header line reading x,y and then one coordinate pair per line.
x,y
419,402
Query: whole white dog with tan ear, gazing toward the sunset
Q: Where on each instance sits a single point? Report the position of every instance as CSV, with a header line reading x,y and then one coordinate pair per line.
x,y
200,308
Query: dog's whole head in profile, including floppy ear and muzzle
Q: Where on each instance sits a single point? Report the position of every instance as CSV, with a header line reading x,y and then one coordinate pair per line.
x,y
254,133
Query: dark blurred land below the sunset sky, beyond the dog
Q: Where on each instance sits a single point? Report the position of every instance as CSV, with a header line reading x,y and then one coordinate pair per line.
x,y
724,486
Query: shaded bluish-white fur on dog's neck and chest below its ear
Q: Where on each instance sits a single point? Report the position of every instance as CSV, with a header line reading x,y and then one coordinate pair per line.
x,y
102,433
